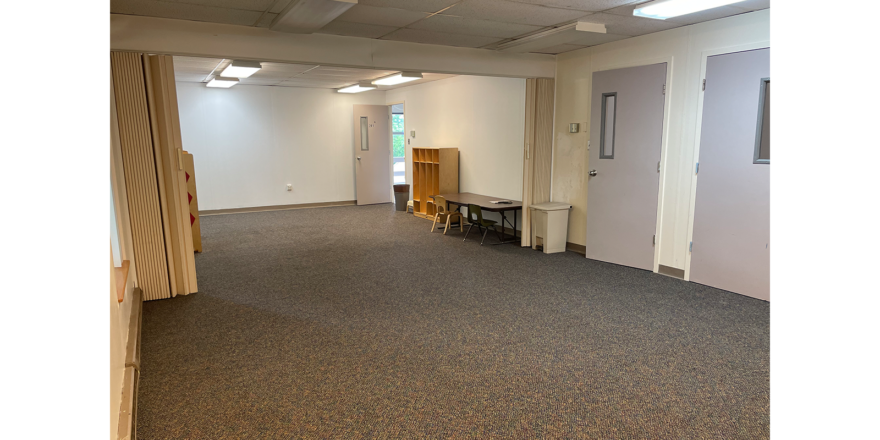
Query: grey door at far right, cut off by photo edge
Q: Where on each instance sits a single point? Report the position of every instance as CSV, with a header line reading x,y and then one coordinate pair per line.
x,y
732,225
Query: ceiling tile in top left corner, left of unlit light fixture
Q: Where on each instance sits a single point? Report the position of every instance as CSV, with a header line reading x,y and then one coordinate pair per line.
x,y
183,11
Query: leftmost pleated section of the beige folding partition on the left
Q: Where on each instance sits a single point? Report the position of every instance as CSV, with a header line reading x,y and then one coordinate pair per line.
x,y
140,175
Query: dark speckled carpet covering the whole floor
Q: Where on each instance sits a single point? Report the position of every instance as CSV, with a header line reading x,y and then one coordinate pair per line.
x,y
357,323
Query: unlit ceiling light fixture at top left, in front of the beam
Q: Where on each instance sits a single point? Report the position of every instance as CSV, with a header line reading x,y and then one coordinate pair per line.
x,y
309,16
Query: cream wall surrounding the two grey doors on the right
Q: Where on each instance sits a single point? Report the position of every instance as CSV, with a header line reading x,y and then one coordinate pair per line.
x,y
683,49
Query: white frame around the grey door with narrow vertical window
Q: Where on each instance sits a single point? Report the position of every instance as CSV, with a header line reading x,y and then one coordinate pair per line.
x,y
664,150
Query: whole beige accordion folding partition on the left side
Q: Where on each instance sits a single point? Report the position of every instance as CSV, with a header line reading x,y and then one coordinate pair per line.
x,y
150,138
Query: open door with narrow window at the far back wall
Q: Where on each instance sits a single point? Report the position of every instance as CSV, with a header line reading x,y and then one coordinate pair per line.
x,y
372,149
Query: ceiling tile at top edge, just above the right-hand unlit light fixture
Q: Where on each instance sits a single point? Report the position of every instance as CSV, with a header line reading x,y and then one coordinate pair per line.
x,y
511,12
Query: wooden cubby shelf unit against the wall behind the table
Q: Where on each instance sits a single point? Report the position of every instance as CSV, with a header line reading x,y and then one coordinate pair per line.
x,y
435,172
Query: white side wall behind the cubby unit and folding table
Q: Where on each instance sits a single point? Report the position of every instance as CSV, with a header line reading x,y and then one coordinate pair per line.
x,y
483,117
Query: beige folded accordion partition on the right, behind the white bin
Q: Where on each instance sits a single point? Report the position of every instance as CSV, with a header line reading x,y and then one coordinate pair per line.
x,y
538,163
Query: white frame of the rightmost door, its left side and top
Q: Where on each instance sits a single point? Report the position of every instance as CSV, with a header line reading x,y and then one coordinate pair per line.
x,y
705,55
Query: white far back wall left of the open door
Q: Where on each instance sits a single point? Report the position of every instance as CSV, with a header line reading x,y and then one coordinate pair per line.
x,y
250,142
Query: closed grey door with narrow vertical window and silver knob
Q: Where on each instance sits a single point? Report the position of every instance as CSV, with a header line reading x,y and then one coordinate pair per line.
x,y
626,142
